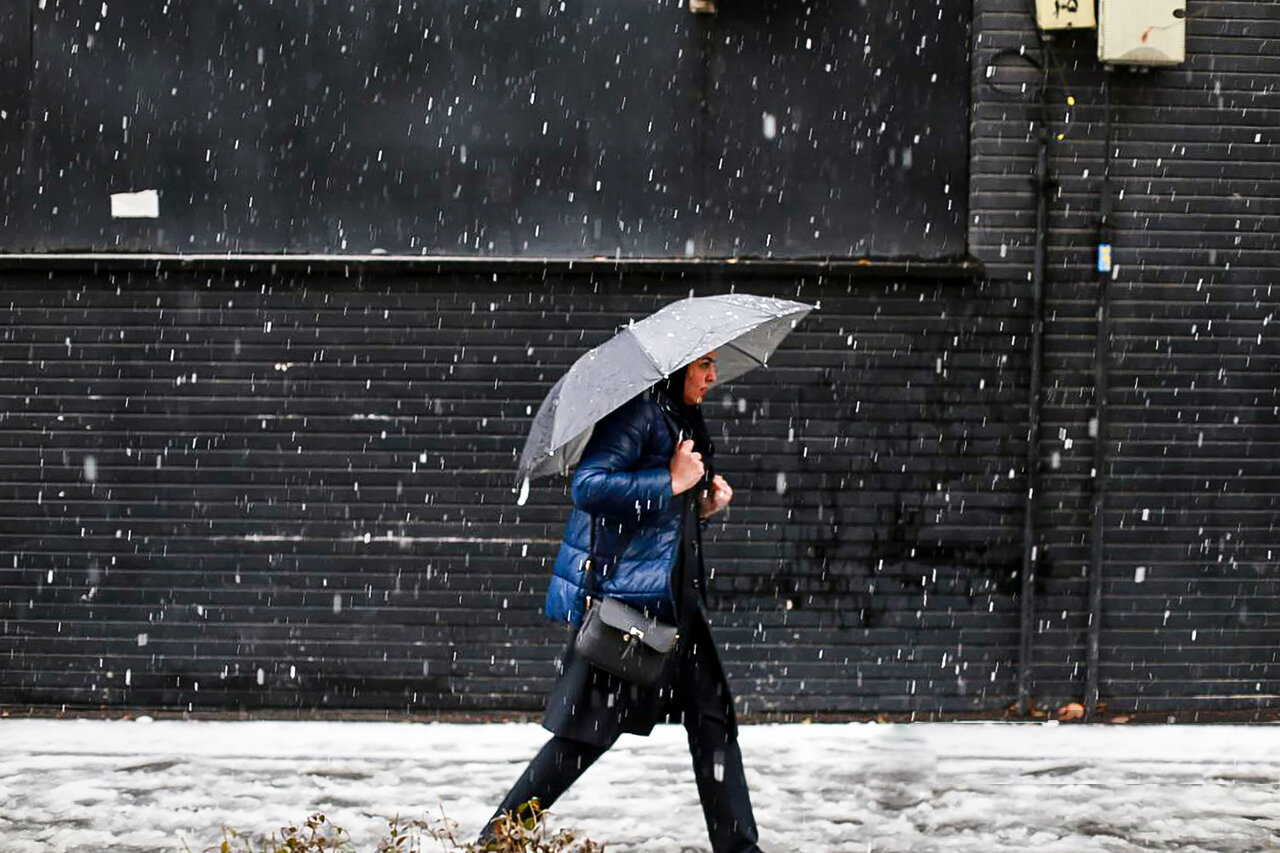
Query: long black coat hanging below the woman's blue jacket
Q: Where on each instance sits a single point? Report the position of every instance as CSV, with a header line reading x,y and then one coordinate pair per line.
x,y
596,708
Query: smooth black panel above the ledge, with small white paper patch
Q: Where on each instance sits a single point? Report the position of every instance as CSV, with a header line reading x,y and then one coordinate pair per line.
x,y
488,129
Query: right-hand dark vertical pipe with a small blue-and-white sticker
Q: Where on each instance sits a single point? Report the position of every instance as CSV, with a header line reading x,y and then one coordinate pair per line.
x,y
1101,384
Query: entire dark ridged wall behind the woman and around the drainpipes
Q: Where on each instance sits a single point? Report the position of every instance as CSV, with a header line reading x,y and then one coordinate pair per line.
x,y
249,431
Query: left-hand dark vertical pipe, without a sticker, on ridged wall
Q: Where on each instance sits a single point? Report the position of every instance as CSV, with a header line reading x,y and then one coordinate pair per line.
x,y
1034,403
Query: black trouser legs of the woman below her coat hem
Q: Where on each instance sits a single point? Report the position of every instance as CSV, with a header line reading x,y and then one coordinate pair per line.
x,y
717,768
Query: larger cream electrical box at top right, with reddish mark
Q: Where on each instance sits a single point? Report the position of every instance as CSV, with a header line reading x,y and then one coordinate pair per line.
x,y
1151,33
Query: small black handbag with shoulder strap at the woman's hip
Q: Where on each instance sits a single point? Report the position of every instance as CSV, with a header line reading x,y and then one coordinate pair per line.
x,y
620,638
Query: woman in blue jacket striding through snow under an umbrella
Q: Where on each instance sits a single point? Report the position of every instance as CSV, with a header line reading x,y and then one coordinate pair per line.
x,y
643,486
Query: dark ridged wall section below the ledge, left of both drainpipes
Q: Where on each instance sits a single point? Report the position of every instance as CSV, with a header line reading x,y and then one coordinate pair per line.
x,y
296,491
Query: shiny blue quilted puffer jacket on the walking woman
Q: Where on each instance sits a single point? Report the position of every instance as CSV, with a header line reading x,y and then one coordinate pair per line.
x,y
624,483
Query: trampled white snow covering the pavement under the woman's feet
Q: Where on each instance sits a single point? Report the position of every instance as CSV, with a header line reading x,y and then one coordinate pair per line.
x,y
924,788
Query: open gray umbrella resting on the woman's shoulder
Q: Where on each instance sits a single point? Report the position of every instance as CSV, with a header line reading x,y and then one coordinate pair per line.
x,y
746,330
